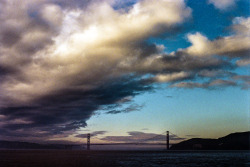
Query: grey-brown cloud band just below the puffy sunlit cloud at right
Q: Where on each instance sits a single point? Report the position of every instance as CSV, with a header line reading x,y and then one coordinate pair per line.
x,y
180,62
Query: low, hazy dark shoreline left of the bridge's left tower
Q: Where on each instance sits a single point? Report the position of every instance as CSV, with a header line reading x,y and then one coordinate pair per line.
x,y
27,145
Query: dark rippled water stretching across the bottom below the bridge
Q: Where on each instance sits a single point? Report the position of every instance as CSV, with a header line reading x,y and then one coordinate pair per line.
x,y
63,158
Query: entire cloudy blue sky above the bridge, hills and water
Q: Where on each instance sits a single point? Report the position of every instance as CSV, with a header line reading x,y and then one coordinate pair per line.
x,y
123,71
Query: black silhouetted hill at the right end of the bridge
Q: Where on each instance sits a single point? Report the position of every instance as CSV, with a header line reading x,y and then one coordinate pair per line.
x,y
234,141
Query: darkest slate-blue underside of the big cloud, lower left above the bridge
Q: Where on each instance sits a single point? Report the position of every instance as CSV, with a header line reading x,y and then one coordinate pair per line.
x,y
70,109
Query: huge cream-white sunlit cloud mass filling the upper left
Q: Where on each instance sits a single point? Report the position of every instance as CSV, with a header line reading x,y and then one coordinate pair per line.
x,y
81,48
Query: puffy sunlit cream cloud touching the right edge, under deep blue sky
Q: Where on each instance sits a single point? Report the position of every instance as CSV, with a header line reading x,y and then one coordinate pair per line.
x,y
236,45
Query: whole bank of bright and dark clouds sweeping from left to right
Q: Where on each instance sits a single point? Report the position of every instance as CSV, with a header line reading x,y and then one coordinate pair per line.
x,y
55,72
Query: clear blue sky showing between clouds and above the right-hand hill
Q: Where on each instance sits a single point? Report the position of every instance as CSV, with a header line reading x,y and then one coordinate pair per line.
x,y
201,112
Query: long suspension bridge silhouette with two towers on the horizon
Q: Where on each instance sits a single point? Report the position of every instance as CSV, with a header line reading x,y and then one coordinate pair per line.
x,y
140,141
